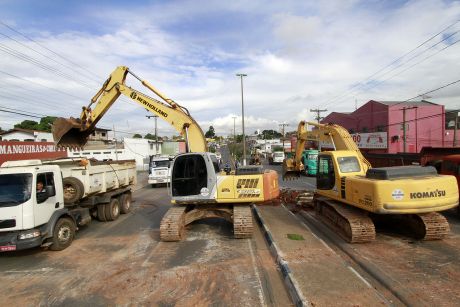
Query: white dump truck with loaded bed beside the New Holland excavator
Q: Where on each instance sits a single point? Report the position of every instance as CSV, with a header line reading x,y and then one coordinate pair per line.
x,y
43,203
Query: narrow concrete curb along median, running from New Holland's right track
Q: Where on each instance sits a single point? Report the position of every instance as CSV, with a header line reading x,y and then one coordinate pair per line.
x,y
293,288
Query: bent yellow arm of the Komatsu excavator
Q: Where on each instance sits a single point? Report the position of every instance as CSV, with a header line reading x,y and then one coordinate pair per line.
x,y
338,136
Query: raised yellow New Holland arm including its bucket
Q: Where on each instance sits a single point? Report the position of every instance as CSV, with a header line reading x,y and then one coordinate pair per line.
x,y
75,132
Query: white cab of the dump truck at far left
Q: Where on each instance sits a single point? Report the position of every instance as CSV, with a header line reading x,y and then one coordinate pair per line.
x,y
25,211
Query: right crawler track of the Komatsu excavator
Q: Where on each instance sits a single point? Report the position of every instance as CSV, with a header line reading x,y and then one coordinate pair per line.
x,y
428,226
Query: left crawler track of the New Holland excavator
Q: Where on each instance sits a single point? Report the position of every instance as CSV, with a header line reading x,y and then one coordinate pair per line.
x,y
173,223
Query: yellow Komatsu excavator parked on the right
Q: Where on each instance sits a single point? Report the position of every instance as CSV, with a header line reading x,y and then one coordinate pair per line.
x,y
349,190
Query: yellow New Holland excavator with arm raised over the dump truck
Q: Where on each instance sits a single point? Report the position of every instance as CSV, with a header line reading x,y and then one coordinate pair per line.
x,y
198,188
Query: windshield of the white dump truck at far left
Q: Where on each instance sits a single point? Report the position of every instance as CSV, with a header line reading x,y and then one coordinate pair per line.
x,y
15,189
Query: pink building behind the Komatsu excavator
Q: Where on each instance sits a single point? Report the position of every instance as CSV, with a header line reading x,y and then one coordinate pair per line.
x,y
424,122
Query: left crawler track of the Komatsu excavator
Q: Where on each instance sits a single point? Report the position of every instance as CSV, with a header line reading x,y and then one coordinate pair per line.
x,y
350,223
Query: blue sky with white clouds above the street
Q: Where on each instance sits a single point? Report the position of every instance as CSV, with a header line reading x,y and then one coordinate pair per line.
x,y
297,54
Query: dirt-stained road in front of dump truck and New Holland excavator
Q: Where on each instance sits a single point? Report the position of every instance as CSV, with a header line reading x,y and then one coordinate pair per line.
x,y
123,262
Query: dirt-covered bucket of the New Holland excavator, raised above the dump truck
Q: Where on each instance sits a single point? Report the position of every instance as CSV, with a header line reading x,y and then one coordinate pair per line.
x,y
67,133
